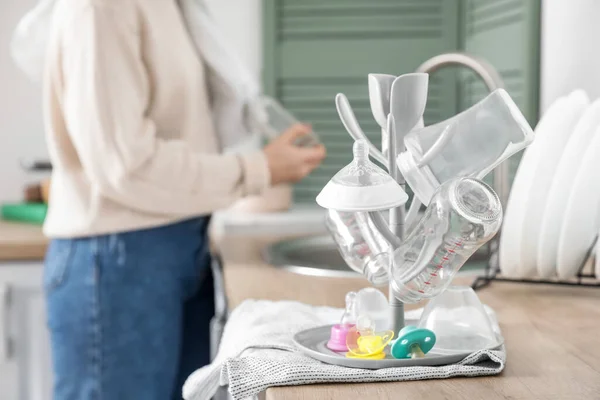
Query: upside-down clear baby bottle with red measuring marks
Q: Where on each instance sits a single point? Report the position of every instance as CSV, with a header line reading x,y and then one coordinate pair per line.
x,y
463,215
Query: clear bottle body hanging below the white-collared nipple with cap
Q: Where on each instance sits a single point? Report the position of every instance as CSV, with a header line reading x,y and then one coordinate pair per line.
x,y
361,245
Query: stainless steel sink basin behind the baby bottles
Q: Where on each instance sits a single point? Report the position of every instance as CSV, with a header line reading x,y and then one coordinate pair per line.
x,y
318,256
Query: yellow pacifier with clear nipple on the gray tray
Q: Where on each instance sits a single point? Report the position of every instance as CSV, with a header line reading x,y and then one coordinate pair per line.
x,y
363,342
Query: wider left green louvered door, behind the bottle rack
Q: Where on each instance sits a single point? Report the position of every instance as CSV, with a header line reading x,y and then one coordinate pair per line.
x,y
315,49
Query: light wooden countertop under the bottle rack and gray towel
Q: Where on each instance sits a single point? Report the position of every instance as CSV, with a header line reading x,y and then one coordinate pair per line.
x,y
551,335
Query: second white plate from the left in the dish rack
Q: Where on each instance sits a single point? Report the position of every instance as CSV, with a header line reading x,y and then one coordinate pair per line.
x,y
551,139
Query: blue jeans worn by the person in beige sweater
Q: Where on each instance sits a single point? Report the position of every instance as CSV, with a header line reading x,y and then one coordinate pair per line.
x,y
129,313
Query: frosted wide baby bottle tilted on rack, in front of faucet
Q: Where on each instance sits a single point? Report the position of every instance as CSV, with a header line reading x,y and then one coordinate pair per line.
x,y
470,144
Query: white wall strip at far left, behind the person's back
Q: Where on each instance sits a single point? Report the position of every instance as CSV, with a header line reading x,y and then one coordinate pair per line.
x,y
21,134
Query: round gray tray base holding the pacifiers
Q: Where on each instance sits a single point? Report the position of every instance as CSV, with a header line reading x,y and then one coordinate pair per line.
x,y
312,342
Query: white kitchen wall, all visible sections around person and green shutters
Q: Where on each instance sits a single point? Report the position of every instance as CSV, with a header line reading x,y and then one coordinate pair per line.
x,y
569,60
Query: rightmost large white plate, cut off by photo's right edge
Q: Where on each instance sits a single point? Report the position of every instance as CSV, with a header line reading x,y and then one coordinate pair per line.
x,y
580,225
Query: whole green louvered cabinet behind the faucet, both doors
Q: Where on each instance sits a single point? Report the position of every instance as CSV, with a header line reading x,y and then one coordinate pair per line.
x,y
314,49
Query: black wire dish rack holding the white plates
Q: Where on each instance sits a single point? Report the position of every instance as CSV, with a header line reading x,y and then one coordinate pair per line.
x,y
492,272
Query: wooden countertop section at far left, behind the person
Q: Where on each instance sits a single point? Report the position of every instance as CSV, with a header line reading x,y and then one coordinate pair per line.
x,y
21,242
